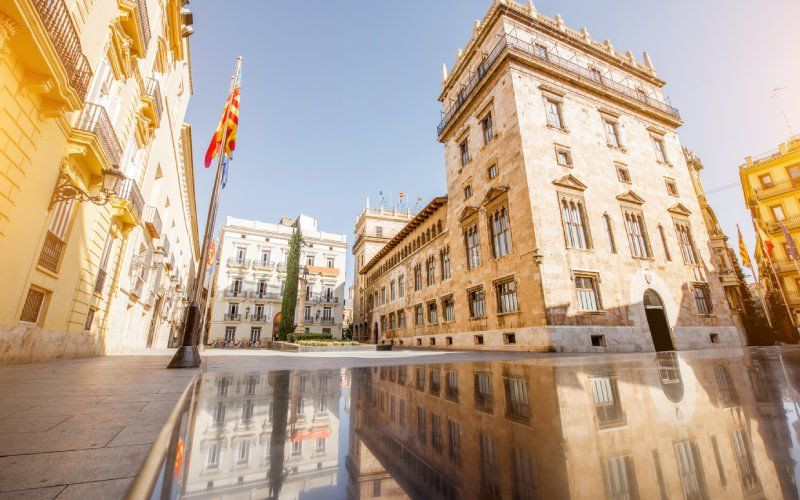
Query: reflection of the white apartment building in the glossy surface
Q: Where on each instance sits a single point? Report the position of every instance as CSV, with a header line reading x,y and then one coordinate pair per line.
x,y
258,432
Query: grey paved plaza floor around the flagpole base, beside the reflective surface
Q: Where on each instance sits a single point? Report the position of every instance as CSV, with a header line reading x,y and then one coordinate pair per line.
x,y
81,428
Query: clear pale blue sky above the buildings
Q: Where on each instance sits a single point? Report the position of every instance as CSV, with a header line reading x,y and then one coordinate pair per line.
x,y
339,97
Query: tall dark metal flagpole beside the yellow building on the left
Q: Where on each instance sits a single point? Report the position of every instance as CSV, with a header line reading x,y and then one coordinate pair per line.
x,y
188,355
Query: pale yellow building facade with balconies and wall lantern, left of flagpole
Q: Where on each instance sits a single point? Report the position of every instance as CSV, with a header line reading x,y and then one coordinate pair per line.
x,y
95,173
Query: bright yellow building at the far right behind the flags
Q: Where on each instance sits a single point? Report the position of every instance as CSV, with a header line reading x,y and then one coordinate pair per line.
x,y
771,187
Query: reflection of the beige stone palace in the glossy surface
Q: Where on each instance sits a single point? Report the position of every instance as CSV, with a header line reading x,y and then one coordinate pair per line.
x,y
641,427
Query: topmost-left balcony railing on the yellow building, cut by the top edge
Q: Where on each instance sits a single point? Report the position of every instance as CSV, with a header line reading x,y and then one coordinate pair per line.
x,y
58,24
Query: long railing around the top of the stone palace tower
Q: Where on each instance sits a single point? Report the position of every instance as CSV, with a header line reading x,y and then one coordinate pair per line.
x,y
549,59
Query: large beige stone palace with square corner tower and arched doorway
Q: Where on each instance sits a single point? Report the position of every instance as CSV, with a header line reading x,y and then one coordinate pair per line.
x,y
570,220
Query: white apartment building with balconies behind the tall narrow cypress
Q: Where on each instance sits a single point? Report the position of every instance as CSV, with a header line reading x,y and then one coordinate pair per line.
x,y
251,279
